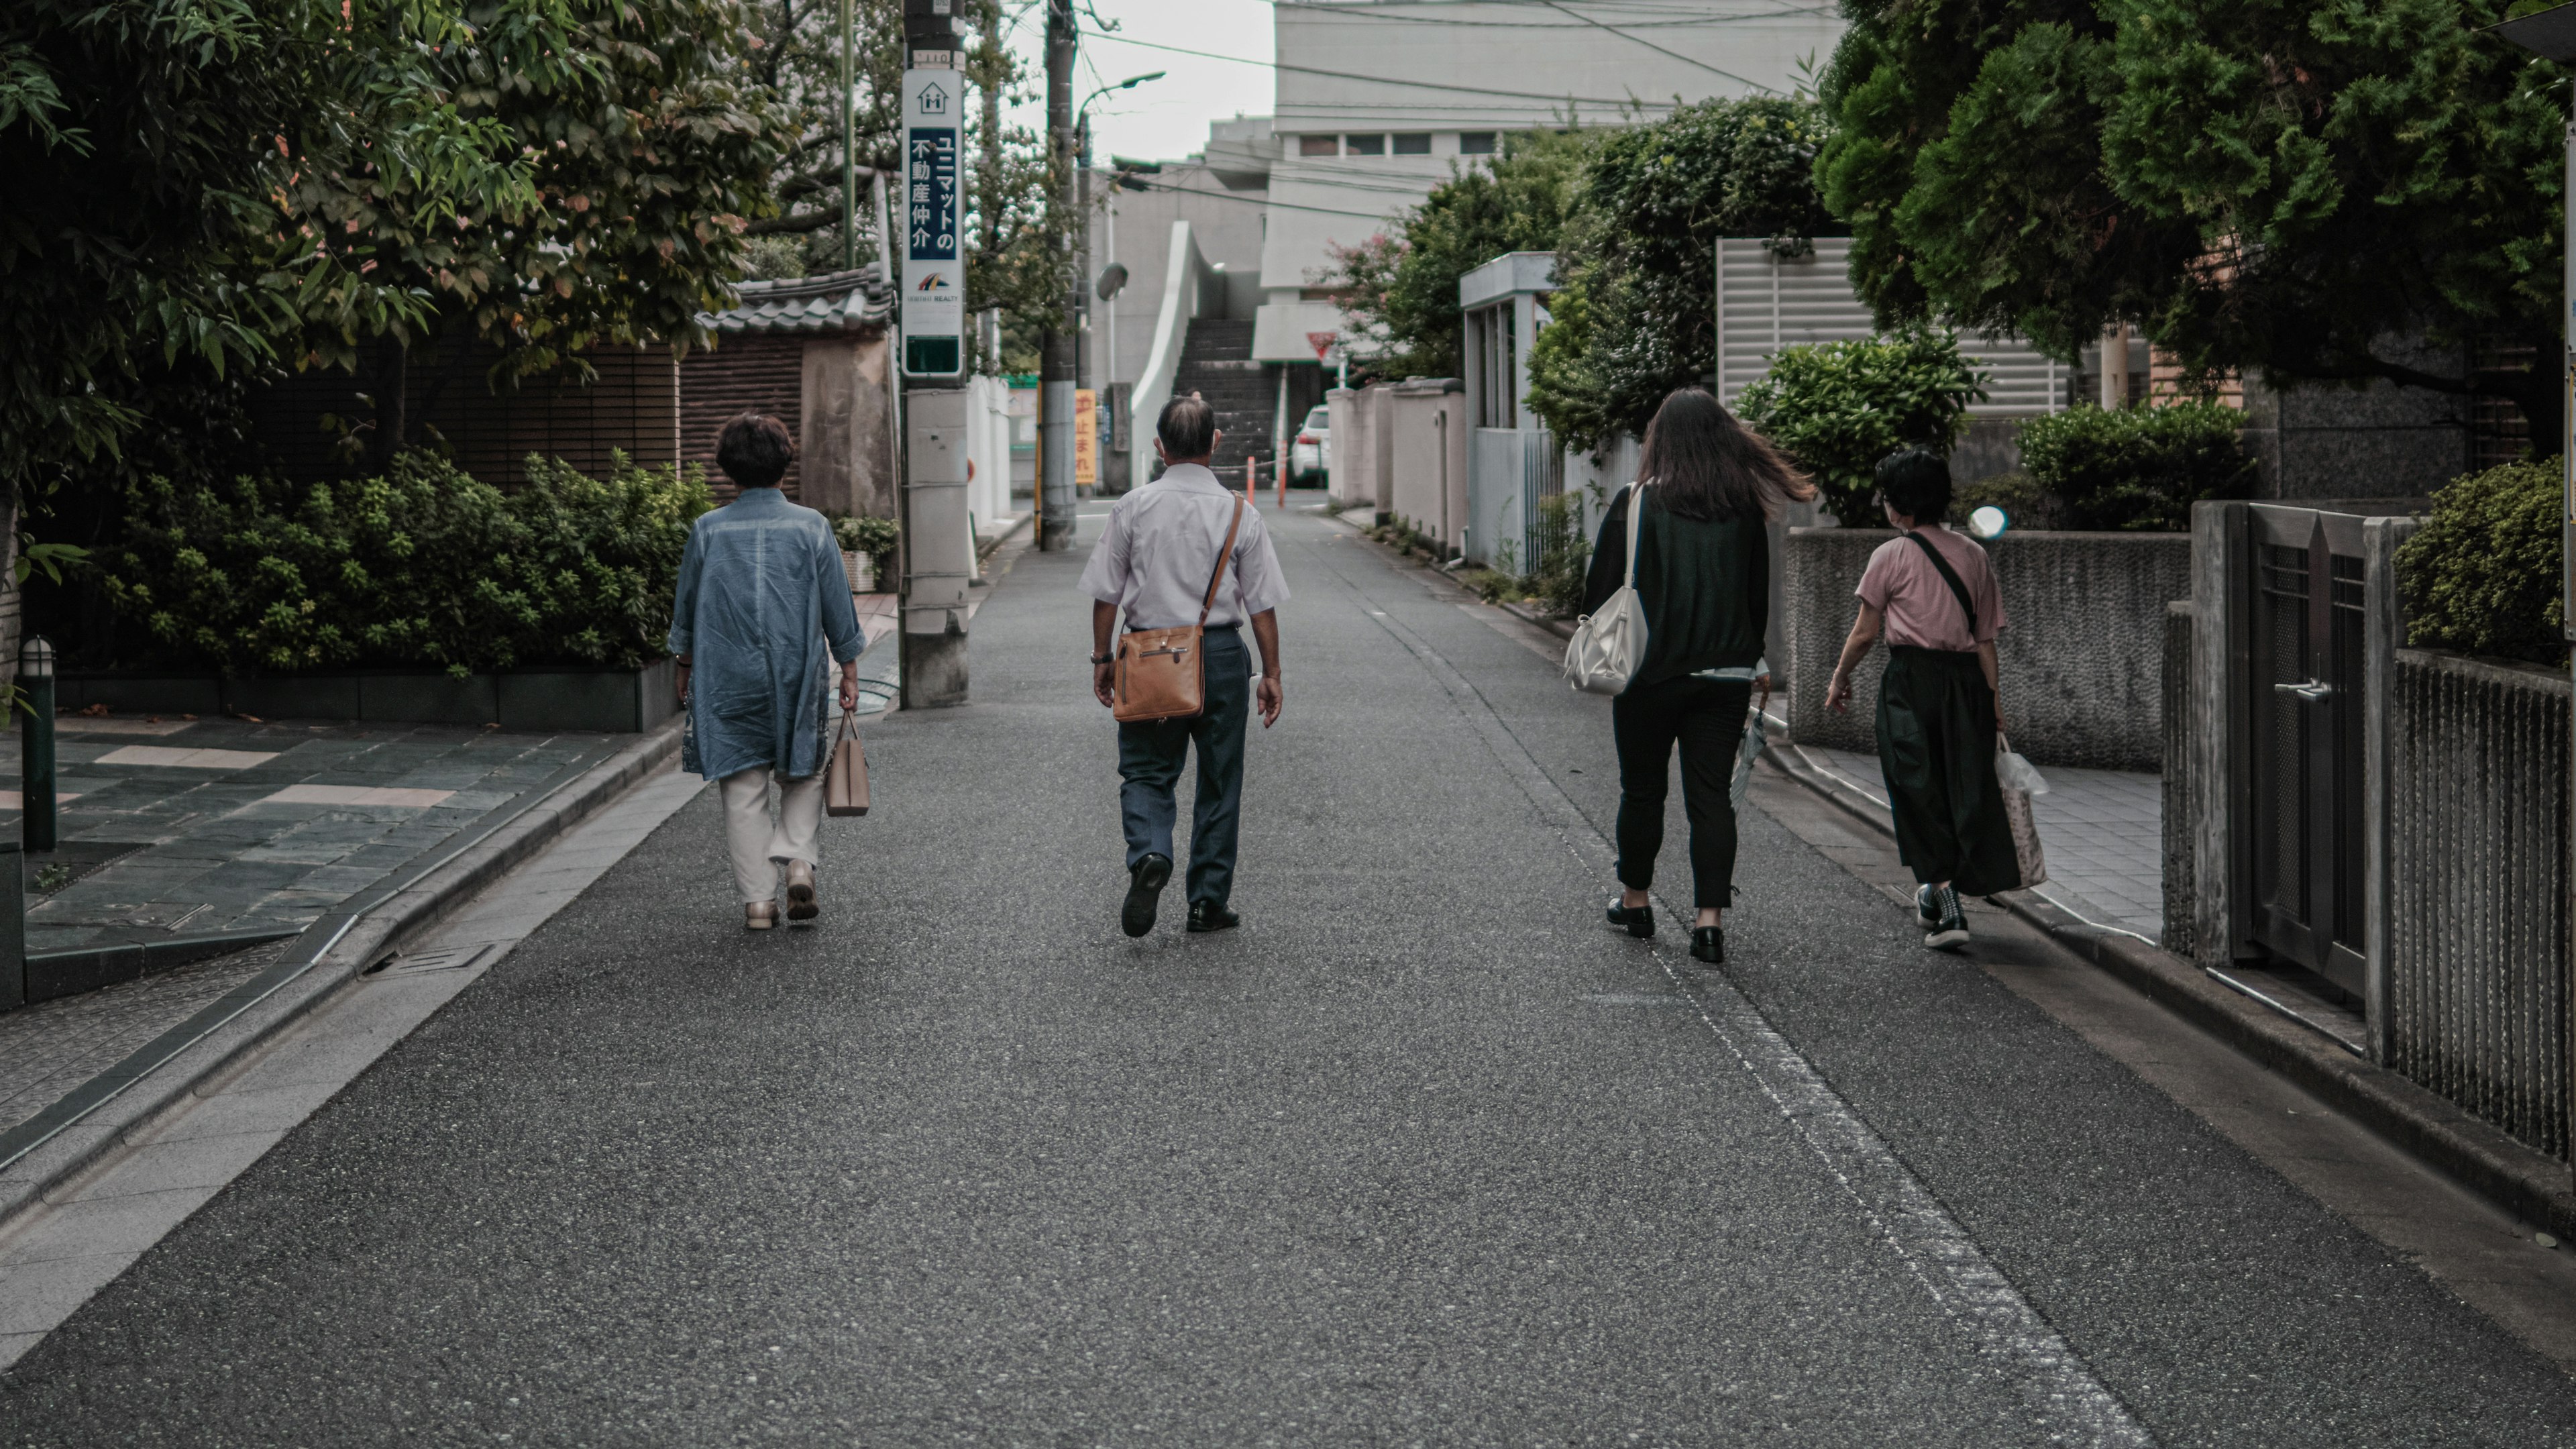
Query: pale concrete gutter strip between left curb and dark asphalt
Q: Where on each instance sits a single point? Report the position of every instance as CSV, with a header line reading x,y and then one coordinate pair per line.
x,y
94,1226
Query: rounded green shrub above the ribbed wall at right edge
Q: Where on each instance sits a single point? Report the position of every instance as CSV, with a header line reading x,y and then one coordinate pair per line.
x,y
2482,576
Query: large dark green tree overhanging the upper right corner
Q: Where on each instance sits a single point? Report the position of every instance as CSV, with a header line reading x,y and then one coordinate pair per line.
x,y
2294,190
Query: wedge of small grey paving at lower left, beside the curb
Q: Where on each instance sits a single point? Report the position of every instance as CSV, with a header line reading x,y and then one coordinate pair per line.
x,y
55,1045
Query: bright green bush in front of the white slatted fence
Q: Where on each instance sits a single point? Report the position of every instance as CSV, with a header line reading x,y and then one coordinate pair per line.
x,y
1838,409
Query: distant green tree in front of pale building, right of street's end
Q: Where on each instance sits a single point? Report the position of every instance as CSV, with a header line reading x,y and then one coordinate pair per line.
x,y
1400,287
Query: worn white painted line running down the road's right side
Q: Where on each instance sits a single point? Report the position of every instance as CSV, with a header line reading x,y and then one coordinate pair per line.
x,y
2036,1360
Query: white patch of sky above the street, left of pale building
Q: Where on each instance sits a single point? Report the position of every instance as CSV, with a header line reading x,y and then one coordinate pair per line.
x,y
1160,120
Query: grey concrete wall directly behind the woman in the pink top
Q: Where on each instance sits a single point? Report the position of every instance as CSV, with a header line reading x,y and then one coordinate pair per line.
x,y
2083,646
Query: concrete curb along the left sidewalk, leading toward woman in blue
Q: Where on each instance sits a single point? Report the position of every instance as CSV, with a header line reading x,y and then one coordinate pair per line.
x,y
375,935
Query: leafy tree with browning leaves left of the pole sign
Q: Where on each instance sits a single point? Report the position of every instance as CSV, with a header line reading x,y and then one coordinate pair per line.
x,y
643,143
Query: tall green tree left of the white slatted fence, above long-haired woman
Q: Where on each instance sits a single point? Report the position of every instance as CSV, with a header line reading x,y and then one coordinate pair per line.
x,y
1637,306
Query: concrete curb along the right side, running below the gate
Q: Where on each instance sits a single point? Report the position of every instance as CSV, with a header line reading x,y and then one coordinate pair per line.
x,y
2451,1141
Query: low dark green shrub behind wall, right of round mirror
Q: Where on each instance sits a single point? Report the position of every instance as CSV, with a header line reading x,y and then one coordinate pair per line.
x,y
2137,468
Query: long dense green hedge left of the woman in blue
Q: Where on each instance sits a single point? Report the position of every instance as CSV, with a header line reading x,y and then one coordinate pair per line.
x,y
406,571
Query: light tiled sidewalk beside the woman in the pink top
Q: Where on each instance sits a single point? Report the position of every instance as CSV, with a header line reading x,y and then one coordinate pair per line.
x,y
2103,834
